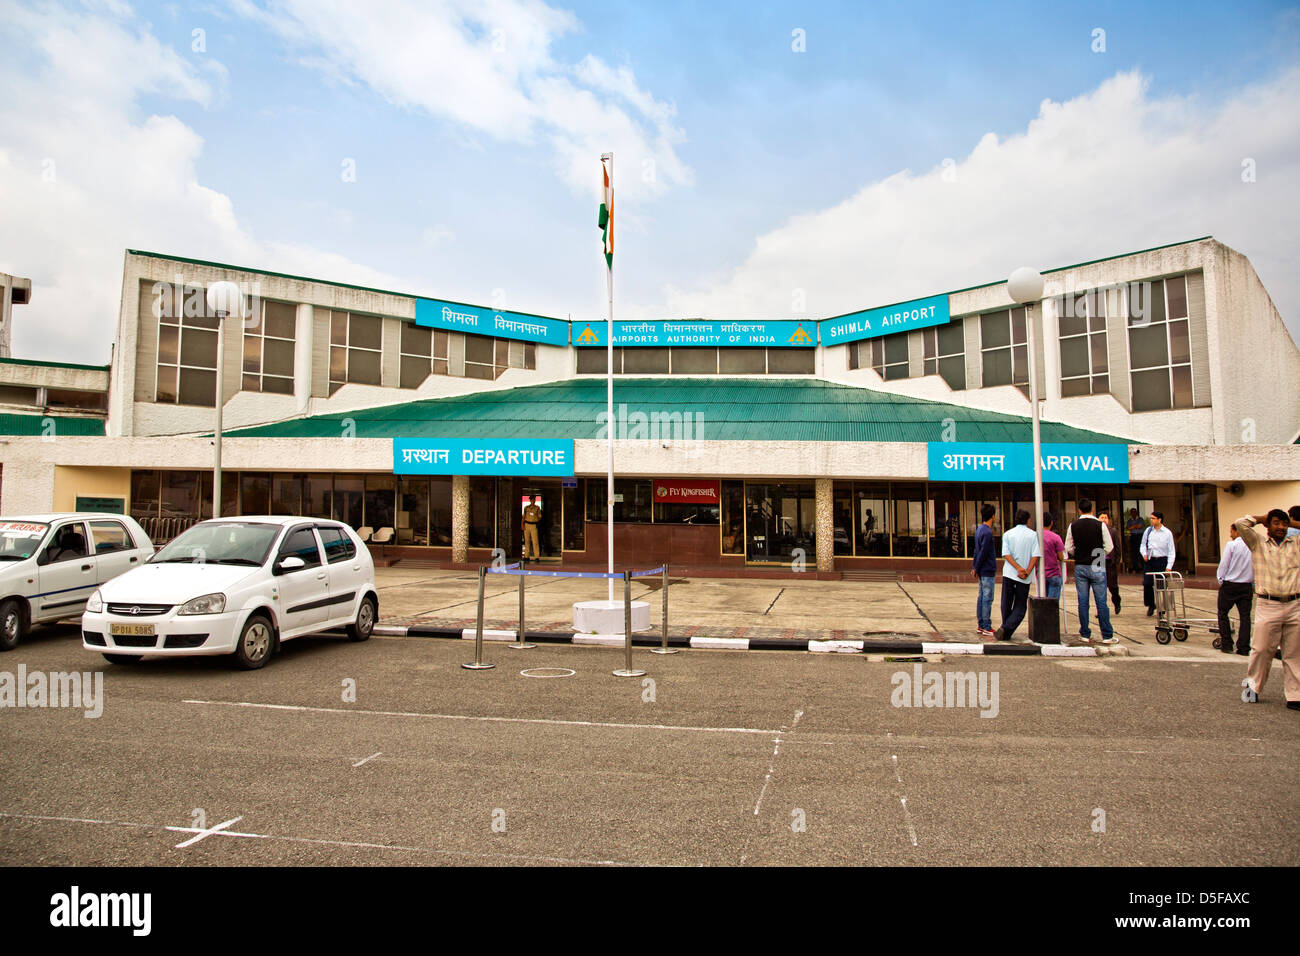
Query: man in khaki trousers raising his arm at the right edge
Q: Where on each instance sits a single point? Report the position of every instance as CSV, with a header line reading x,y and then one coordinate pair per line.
x,y
1277,612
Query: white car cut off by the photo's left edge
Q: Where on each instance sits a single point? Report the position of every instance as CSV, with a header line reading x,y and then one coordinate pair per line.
x,y
51,564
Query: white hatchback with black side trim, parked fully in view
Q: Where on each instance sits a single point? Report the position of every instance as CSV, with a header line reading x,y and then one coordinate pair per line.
x,y
237,586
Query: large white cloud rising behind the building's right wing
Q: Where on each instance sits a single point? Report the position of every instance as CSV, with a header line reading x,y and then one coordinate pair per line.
x,y
1108,172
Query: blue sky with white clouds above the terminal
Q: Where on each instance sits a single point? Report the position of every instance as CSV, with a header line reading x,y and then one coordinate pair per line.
x,y
762,154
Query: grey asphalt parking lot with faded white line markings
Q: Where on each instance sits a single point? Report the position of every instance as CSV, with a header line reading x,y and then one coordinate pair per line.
x,y
726,759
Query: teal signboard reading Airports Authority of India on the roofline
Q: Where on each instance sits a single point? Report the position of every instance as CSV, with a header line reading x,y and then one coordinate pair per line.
x,y
700,332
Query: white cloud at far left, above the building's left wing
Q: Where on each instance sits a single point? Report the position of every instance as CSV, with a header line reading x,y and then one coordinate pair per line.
x,y
84,176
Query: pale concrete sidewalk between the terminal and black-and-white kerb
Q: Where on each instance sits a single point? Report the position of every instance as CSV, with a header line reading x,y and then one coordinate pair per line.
x,y
757,609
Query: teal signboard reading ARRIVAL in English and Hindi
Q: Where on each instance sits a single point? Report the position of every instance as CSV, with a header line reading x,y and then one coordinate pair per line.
x,y
973,461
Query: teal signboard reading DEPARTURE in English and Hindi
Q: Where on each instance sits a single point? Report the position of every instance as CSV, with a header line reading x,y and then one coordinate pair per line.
x,y
508,457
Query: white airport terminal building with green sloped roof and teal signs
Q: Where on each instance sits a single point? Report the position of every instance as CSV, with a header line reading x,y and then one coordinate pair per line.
x,y
850,444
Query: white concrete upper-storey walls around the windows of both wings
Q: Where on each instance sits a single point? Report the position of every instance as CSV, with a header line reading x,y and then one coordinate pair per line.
x,y
1237,332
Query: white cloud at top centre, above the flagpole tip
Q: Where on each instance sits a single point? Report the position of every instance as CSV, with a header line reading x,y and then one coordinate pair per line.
x,y
487,66
